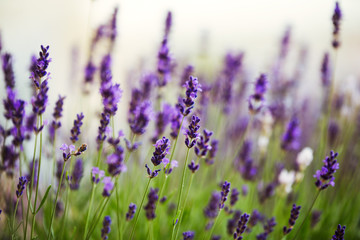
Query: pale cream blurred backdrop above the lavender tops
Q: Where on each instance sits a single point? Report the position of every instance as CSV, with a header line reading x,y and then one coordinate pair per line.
x,y
203,31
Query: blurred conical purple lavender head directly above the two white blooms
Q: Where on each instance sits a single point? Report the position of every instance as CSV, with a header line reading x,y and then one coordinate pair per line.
x,y
291,138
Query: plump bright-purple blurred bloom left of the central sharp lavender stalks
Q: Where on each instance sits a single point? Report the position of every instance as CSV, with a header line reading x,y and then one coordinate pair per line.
x,y
141,117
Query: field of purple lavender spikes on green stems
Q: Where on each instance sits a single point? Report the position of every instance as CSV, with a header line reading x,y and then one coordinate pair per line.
x,y
181,148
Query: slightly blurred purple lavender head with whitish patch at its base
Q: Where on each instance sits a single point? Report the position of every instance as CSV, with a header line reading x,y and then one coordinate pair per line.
x,y
256,101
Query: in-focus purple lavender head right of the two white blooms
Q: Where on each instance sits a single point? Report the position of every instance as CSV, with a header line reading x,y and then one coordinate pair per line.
x,y
325,176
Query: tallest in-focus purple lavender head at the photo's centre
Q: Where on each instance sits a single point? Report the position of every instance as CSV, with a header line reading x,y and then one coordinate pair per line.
x,y
192,88
